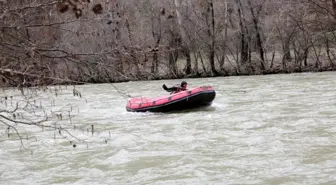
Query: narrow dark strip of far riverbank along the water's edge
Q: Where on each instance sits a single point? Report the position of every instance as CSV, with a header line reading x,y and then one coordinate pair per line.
x,y
54,81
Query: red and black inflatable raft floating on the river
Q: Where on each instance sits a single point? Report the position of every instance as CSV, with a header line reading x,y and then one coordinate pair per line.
x,y
188,99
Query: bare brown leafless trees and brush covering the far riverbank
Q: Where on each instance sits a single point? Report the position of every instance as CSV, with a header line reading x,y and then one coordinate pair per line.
x,y
48,42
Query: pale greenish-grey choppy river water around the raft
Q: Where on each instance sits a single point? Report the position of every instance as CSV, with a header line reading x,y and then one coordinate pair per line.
x,y
276,129
